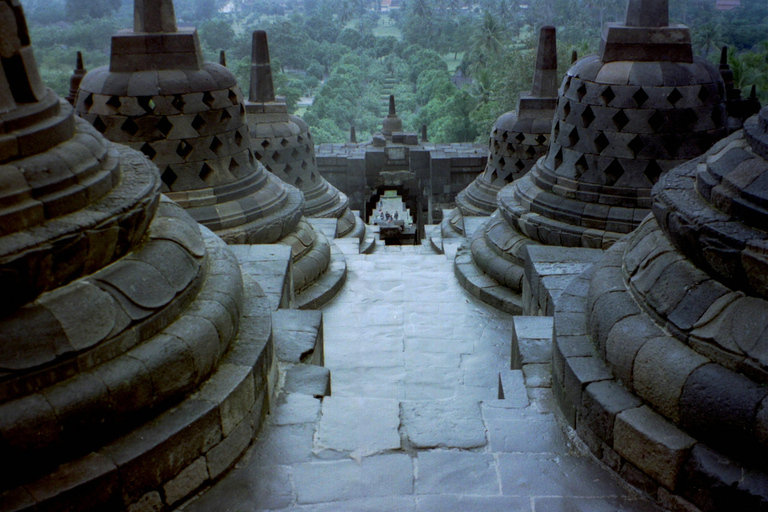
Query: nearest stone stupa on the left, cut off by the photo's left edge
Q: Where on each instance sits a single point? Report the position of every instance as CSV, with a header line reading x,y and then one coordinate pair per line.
x,y
124,383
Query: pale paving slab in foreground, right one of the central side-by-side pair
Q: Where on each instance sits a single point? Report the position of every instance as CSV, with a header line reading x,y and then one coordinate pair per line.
x,y
451,423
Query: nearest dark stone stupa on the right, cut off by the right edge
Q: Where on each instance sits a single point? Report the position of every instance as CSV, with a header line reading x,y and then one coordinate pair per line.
x,y
662,347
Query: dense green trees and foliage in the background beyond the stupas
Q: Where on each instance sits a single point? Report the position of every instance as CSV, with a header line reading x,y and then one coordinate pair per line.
x,y
453,65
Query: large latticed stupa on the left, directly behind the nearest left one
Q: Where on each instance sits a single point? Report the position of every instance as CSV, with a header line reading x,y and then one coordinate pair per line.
x,y
188,117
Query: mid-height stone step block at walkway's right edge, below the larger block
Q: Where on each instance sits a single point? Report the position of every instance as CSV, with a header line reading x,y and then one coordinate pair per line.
x,y
532,349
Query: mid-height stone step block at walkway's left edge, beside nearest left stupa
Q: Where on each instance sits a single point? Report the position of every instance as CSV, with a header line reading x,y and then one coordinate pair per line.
x,y
298,336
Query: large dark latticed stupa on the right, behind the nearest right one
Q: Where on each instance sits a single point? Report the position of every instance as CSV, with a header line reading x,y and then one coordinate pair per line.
x,y
624,117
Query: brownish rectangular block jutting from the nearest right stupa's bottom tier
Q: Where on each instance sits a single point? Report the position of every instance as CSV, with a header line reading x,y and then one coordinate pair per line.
x,y
651,443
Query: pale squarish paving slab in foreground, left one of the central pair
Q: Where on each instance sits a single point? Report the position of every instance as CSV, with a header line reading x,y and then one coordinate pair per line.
x,y
363,426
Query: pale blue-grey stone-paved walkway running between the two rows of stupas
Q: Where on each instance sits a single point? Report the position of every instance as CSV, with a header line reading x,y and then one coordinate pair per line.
x,y
415,422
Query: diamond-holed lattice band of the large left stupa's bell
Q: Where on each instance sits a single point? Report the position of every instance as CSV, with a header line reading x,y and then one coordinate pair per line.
x,y
198,140
